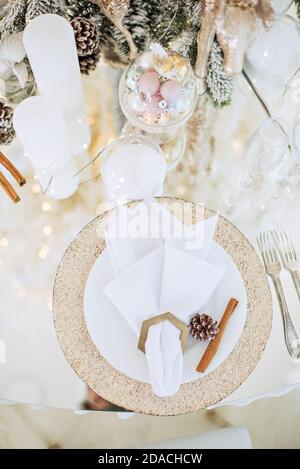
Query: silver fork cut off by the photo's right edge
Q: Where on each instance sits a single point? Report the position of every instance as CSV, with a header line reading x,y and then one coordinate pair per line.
x,y
284,239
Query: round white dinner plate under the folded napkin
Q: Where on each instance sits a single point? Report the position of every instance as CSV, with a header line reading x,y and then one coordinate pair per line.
x,y
117,342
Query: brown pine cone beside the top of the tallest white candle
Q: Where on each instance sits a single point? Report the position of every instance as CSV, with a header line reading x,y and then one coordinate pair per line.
x,y
86,36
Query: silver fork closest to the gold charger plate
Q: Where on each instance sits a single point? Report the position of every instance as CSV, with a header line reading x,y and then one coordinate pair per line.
x,y
273,269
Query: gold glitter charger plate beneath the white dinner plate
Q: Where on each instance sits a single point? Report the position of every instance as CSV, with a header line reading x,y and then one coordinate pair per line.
x,y
114,386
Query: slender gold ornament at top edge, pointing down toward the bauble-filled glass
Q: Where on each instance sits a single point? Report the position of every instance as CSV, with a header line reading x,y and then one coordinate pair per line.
x,y
115,11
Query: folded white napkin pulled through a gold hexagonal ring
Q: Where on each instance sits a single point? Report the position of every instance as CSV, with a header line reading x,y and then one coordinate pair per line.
x,y
168,273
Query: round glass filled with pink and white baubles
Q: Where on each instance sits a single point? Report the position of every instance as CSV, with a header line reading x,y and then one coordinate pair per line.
x,y
158,91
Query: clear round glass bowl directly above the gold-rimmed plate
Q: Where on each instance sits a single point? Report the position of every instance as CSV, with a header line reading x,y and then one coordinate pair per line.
x,y
133,167
